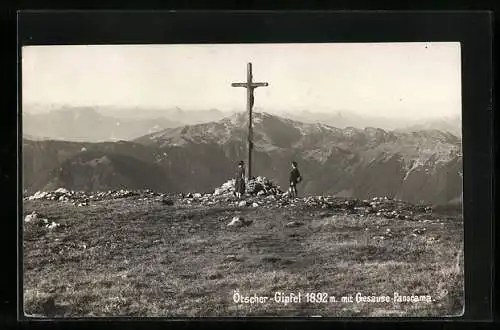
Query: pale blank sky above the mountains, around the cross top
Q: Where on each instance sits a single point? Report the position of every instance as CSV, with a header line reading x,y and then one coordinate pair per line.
x,y
417,80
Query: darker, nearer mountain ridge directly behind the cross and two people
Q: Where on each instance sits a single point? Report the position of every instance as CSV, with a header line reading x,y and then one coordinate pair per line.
x,y
423,165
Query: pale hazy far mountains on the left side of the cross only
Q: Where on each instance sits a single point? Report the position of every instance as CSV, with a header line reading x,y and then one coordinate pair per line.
x,y
99,124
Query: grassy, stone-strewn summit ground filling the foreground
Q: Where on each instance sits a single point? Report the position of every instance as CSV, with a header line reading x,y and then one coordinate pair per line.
x,y
139,253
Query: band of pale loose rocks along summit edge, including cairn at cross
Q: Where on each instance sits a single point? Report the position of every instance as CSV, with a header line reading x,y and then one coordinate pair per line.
x,y
261,193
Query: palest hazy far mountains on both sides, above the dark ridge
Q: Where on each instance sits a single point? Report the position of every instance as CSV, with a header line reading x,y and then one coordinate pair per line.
x,y
106,123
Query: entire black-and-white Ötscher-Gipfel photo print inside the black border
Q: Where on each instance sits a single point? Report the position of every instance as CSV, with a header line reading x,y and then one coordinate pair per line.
x,y
242,180
